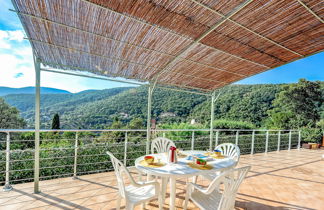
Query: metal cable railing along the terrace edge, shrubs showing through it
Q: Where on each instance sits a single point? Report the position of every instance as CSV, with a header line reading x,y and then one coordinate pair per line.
x,y
70,153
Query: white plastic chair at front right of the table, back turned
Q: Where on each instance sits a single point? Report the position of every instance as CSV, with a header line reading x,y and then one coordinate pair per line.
x,y
211,198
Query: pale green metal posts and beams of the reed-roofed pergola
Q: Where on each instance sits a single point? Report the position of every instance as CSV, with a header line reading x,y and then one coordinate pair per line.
x,y
151,86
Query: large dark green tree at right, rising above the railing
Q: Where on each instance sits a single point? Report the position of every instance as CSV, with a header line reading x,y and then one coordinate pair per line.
x,y
296,106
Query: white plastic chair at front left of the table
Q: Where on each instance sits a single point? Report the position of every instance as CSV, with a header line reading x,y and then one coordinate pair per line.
x,y
135,193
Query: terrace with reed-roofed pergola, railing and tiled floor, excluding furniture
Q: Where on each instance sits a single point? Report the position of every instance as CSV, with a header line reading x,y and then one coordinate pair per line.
x,y
190,46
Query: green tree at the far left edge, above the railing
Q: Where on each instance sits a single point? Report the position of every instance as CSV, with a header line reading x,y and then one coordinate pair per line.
x,y
9,117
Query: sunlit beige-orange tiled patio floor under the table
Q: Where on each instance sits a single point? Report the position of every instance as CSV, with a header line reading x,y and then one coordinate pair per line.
x,y
278,180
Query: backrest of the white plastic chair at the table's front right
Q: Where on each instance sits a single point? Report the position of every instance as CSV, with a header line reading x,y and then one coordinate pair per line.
x,y
232,180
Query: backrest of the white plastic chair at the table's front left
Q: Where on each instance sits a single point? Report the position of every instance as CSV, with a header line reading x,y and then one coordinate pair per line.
x,y
120,170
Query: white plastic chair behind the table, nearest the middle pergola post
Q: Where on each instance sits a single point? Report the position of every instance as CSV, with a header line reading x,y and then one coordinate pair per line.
x,y
161,145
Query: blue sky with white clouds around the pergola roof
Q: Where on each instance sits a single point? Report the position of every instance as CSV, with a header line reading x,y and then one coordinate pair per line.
x,y
17,70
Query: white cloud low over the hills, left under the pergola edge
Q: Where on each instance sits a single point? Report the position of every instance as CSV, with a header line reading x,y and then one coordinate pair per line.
x,y
17,68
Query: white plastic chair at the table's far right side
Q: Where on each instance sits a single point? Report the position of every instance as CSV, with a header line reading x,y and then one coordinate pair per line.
x,y
228,149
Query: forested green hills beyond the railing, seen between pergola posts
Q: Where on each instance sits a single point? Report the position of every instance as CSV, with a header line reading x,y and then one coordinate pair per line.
x,y
98,108
